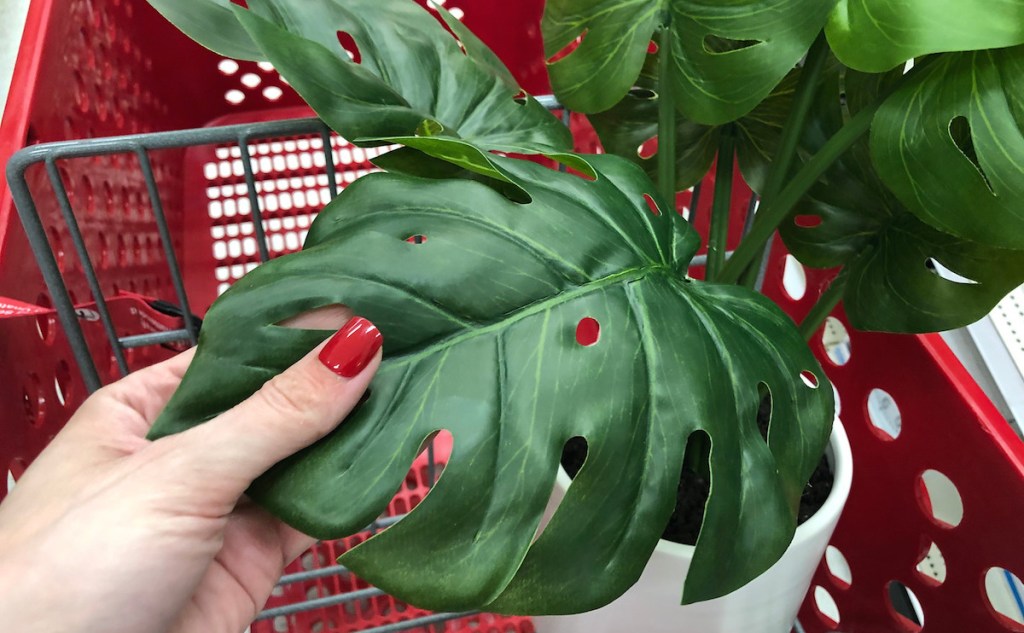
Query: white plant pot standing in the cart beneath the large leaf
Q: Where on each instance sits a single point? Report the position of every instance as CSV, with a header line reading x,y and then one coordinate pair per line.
x,y
769,605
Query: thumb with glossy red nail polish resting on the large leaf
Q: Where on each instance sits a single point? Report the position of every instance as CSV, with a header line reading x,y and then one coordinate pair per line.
x,y
292,411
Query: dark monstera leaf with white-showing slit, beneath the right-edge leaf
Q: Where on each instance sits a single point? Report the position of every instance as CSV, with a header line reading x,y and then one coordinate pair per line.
x,y
899,269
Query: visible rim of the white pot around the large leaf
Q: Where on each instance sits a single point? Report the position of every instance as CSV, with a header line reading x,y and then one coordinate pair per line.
x,y
842,462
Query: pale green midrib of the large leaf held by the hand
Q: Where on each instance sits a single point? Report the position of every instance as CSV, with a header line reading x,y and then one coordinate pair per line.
x,y
442,344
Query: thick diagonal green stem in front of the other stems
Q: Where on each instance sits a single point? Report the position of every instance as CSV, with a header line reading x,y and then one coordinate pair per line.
x,y
775,213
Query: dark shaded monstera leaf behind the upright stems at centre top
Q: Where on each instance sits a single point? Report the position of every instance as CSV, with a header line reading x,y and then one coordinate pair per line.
x,y
633,122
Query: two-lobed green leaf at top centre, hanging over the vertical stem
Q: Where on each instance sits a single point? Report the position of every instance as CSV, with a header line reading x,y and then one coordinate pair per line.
x,y
728,56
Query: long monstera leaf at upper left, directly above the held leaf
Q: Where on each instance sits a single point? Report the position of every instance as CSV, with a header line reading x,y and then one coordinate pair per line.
x,y
404,80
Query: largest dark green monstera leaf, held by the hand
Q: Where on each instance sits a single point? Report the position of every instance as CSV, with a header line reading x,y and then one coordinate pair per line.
x,y
480,322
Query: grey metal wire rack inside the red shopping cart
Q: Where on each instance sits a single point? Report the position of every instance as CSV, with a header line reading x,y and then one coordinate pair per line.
x,y
141,146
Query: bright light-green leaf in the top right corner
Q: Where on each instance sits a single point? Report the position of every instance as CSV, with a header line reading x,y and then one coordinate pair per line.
x,y
878,35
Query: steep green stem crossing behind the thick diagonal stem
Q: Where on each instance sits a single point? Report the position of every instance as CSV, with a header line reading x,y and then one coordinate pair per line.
x,y
787,154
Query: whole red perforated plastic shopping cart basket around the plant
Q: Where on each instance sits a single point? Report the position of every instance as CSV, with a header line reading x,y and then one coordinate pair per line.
x,y
99,68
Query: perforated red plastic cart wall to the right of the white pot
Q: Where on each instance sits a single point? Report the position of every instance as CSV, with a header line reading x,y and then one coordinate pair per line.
x,y
938,474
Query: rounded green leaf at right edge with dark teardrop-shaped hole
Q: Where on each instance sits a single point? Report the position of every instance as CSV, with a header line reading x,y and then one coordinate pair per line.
x,y
950,145
